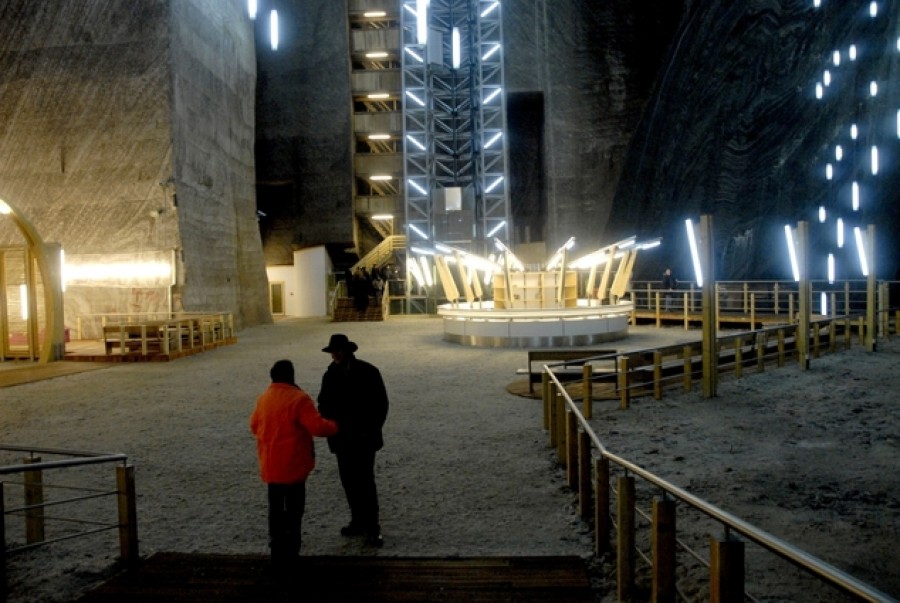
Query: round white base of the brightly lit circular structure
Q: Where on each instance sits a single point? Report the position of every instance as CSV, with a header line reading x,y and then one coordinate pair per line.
x,y
481,325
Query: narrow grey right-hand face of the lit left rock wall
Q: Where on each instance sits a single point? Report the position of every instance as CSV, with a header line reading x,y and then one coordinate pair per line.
x,y
213,111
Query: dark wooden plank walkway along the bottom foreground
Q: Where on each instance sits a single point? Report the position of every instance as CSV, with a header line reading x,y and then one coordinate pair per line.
x,y
180,577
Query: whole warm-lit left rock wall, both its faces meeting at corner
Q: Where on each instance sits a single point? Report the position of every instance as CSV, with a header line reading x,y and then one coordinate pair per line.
x,y
126,127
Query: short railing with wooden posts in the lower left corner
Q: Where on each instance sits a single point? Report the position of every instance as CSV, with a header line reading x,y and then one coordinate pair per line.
x,y
76,502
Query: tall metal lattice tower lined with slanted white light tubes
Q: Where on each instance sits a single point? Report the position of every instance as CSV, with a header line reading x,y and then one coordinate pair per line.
x,y
455,144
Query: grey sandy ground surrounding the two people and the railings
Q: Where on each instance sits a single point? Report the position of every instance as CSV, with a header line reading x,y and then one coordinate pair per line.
x,y
809,456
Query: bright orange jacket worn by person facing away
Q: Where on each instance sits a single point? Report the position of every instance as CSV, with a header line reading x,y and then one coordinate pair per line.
x,y
284,422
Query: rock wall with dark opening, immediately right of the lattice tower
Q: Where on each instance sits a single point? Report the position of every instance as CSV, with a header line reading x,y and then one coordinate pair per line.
x,y
579,73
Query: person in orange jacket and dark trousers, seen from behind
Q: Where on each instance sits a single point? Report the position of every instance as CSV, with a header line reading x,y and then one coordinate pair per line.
x,y
284,422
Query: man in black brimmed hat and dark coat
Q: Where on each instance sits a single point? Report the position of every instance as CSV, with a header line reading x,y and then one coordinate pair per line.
x,y
353,394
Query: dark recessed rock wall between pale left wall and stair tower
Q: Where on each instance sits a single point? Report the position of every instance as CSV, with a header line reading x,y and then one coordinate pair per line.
x,y
304,133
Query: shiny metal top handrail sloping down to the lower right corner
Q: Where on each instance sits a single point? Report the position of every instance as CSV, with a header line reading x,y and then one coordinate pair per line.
x,y
798,557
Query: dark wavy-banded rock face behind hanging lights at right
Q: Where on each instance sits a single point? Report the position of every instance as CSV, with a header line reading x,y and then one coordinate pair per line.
x,y
734,130
